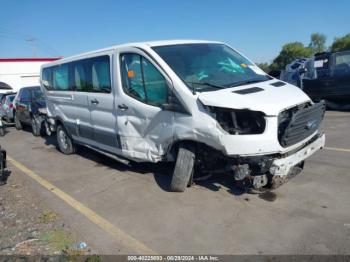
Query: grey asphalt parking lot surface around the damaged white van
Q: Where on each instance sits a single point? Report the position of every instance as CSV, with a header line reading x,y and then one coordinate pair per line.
x,y
308,215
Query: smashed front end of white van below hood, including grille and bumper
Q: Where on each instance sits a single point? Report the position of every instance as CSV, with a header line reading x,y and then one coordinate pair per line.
x,y
262,151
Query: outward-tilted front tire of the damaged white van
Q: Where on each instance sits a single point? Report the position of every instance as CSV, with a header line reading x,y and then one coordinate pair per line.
x,y
184,168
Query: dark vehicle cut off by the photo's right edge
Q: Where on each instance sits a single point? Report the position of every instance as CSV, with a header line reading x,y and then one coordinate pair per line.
x,y
333,79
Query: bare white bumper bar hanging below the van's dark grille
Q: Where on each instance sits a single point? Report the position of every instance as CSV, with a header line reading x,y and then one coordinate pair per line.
x,y
283,166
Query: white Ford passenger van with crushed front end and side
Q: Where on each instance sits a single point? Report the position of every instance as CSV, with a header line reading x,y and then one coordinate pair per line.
x,y
198,103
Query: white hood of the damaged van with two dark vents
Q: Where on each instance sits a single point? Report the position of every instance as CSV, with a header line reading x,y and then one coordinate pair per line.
x,y
263,97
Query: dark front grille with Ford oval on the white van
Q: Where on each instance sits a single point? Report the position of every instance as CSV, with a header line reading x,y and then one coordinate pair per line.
x,y
297,123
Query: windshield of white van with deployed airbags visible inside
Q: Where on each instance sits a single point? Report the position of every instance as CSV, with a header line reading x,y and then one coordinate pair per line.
x,y
206,67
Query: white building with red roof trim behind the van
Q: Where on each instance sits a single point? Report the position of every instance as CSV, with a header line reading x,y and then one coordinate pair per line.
x,y
16,73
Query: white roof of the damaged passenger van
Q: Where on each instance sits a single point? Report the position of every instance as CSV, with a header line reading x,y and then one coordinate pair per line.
x,y
134,44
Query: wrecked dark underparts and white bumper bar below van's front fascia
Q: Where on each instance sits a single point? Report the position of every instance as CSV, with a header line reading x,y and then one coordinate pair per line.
x,y
258,173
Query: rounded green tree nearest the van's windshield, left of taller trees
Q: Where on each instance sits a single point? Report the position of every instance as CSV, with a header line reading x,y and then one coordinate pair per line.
x,y
290,52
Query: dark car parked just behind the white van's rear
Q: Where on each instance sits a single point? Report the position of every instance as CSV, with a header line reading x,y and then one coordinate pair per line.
x,y
26,108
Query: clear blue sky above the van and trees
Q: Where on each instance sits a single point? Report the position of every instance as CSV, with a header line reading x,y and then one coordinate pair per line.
x,y
256,28
